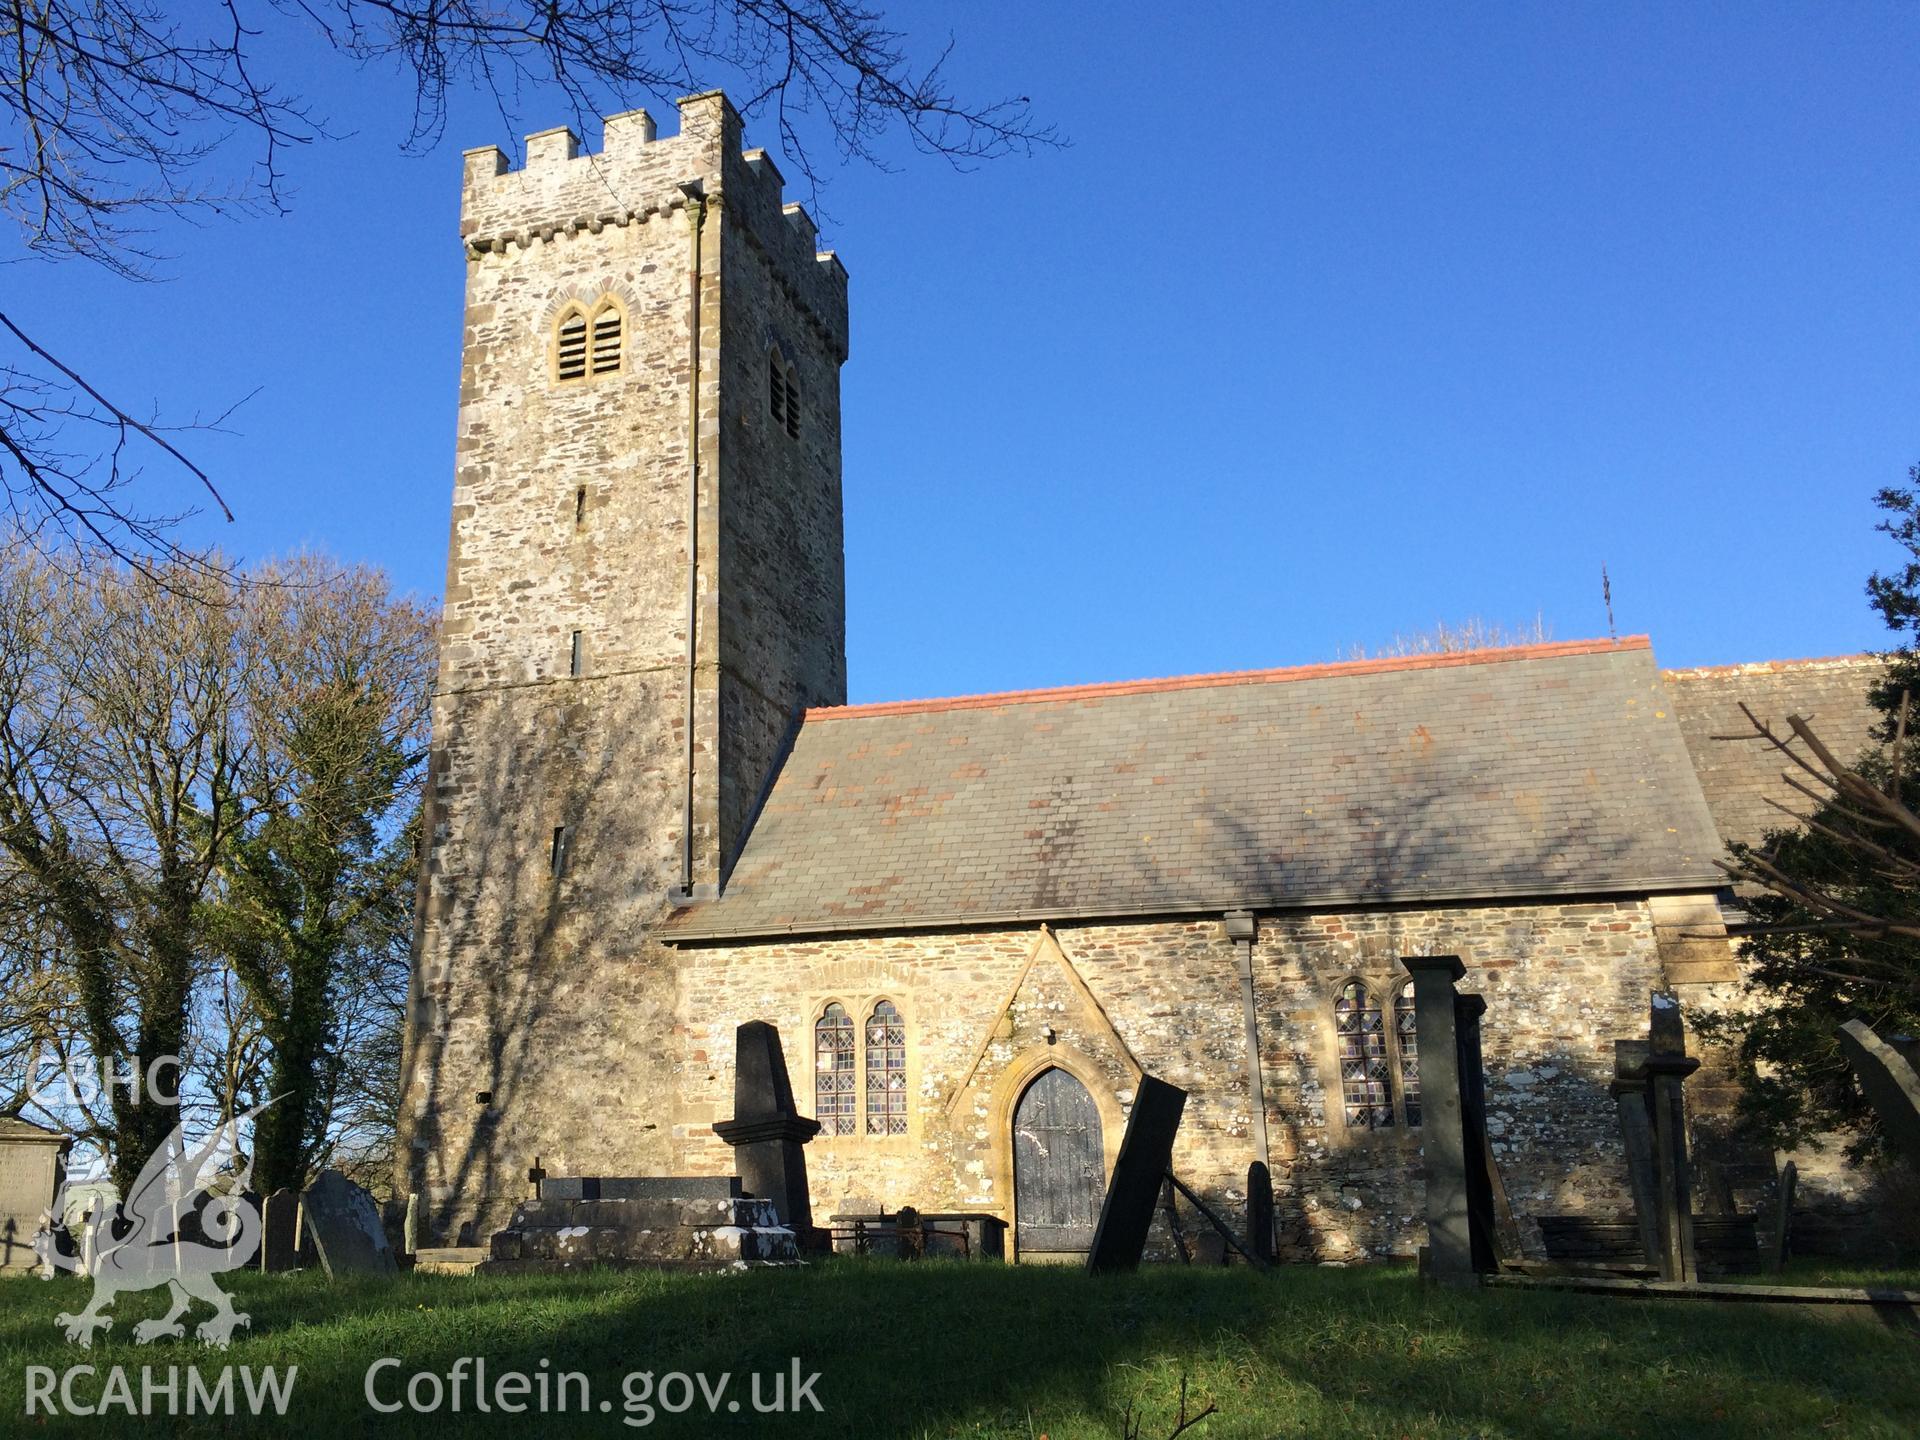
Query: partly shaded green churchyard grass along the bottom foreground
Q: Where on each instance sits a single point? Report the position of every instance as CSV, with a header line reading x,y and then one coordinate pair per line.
x,y
992,1351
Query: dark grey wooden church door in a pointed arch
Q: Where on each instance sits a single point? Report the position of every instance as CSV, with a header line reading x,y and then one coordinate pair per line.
x,y
1059,1166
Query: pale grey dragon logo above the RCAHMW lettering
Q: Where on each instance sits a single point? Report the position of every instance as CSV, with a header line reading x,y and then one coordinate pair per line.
x,y
183,1222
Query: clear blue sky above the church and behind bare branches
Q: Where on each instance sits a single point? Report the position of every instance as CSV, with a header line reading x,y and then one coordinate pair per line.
x,y
1330,324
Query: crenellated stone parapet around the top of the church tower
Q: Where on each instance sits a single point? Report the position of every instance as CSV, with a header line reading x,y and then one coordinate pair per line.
x,y
638,178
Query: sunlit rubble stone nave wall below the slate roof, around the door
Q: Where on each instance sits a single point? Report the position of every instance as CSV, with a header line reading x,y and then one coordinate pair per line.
x,y
1562,984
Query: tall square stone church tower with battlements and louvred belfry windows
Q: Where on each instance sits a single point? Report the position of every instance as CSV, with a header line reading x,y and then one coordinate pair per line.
x,y
644,590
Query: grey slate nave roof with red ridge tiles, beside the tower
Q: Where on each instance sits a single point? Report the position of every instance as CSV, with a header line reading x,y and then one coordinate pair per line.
x,y
1533,771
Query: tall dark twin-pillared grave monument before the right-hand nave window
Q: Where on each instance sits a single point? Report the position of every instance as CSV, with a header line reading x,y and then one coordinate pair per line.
x,y
1460,1209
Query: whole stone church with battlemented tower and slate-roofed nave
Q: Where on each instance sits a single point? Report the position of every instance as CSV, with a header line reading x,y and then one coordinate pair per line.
x,y
976,921
